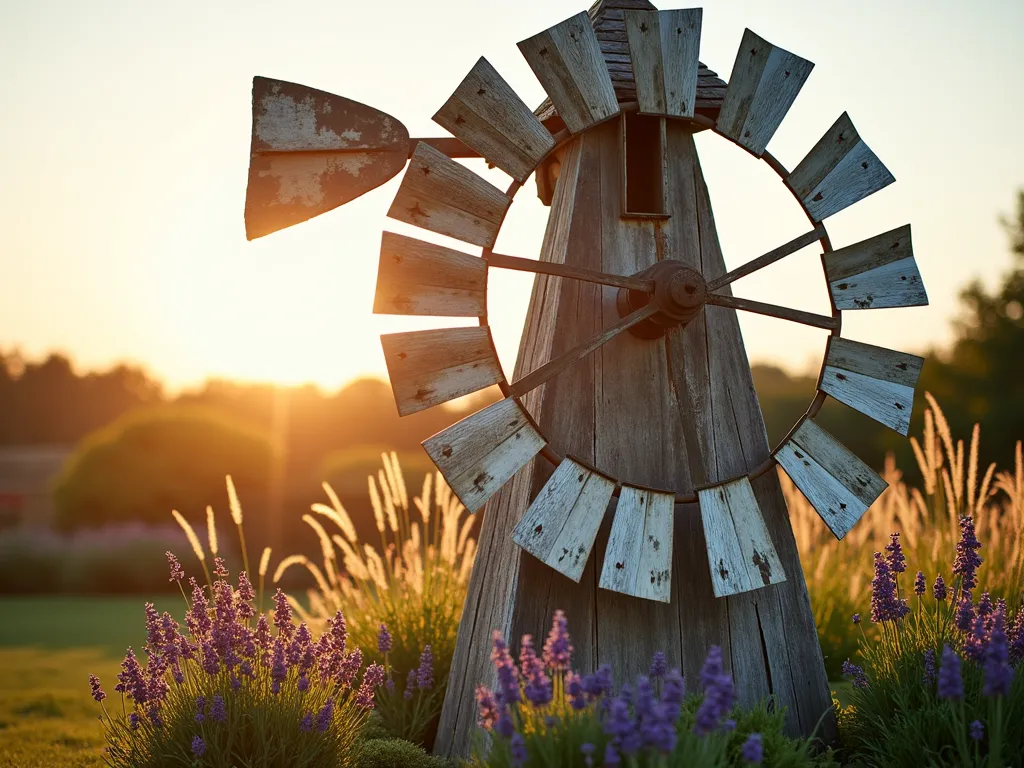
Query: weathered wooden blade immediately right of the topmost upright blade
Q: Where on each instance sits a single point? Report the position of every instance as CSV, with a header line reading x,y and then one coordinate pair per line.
x,y
763,87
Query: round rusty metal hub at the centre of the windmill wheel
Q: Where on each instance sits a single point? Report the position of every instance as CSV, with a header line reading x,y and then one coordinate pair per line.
x,y
679,292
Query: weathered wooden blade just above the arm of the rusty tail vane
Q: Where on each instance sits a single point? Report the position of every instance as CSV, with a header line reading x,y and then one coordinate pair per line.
x,y
488,115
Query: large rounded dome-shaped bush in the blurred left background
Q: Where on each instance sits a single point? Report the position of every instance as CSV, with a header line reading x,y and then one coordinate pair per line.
x,y
148,463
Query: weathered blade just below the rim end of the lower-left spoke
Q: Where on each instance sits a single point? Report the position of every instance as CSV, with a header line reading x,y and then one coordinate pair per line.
x,y
481,454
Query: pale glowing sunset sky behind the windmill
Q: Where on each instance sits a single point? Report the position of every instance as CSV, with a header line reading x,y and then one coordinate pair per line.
x,y
124,144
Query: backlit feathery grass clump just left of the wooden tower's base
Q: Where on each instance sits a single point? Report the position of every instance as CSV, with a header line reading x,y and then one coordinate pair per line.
x,y
414,584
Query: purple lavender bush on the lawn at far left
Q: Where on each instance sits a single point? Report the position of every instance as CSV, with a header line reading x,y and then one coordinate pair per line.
x,y
233,691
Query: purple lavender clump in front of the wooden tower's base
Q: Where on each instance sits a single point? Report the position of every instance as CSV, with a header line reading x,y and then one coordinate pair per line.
x,y
543,714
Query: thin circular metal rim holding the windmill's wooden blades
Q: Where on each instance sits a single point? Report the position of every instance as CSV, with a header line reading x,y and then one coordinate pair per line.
x,y
564,138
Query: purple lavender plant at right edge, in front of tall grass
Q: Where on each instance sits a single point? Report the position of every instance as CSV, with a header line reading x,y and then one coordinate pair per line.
x,y
942,681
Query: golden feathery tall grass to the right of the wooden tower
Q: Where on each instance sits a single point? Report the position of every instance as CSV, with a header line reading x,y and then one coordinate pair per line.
x,y
839,573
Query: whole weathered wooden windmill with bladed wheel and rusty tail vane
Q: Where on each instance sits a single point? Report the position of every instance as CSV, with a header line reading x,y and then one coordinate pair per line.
x,y
626,474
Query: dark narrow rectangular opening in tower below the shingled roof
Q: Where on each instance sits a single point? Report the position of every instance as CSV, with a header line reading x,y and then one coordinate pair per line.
x,y
644,165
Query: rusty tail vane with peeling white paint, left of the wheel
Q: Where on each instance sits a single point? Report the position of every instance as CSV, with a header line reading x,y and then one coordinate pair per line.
x,y
313,152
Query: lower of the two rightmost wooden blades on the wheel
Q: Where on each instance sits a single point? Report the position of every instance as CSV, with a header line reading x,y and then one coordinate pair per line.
x,y
876,381
